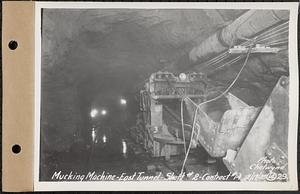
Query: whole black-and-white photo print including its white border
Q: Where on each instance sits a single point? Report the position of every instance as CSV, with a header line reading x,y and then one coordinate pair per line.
x,y
164,94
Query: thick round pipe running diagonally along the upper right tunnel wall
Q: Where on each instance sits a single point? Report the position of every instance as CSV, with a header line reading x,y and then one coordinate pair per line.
x,y
246,26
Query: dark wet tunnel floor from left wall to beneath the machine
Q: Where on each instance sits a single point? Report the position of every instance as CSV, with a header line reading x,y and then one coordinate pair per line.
x,y
109,157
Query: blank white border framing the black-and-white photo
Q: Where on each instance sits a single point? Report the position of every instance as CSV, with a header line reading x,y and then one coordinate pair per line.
x,y
292,184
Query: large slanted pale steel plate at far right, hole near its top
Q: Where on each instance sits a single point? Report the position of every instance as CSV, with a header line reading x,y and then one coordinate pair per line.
x,y
267,142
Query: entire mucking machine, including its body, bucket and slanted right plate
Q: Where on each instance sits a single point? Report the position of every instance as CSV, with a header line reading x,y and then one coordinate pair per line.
x,y
226,128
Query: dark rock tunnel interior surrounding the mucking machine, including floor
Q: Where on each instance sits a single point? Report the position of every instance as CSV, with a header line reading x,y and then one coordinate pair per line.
x,y
95,63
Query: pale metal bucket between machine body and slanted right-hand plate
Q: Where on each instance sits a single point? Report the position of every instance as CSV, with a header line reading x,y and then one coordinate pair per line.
x,y
222,124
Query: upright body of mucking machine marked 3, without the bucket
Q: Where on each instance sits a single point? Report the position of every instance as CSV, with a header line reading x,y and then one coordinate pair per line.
x,y
161,108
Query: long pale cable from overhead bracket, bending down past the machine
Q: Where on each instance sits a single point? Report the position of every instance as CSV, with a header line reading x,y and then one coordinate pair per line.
x,y
213,99
